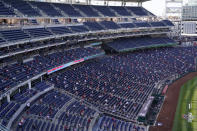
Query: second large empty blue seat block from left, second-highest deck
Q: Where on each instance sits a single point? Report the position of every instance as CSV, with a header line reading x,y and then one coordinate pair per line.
x,y
38,32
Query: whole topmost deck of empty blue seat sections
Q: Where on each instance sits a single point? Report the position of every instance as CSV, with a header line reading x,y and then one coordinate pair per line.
x,y
32,9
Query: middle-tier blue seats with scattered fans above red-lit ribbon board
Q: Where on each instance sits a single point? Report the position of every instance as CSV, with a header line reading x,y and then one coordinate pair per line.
x,y
14,74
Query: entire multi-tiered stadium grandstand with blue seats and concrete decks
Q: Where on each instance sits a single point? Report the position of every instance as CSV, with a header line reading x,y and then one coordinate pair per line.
x,y
72,67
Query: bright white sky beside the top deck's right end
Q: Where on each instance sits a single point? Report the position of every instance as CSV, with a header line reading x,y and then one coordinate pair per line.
x,y
157,7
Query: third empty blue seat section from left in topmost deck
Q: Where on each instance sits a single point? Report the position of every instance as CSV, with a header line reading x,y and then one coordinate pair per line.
x,y
47,8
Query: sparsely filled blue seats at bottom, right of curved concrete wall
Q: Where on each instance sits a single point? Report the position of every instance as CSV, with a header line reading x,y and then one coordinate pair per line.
x,y
56,111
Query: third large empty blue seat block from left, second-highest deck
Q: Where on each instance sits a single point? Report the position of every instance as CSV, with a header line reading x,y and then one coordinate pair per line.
x,y
60,30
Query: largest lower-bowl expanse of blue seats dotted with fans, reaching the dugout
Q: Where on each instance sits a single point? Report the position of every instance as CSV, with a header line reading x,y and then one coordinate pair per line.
x,y
120,84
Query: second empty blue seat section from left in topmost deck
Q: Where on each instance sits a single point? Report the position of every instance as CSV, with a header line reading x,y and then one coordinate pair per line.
x,y
23,7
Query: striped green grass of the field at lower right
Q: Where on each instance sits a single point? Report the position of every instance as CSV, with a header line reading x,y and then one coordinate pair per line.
x,y
188,95
